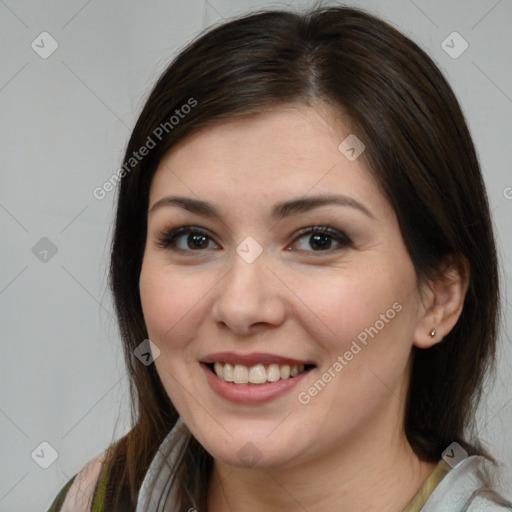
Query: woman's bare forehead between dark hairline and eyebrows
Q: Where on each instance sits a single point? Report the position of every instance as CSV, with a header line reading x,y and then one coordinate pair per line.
x,y
290,150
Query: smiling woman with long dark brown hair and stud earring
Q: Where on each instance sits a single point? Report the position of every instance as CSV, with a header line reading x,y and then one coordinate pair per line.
x,y
303,233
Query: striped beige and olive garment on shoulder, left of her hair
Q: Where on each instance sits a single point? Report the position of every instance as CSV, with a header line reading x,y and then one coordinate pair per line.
x,y
77,495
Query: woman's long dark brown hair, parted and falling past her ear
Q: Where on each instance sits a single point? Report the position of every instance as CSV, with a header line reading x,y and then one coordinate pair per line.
x,y
417,146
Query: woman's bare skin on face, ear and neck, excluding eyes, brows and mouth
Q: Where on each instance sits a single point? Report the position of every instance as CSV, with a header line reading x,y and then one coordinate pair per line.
x,y
346,448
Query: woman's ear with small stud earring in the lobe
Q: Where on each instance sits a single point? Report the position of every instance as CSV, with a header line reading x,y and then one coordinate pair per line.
x,y
443,301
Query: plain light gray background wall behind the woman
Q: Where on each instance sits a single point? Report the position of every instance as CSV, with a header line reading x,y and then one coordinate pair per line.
x,y
65,121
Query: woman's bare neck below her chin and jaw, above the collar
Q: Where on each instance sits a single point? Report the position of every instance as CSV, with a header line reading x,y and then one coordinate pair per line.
x,y
367,472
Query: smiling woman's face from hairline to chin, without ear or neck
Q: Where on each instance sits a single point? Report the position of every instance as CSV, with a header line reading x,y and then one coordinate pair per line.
x,y
250,286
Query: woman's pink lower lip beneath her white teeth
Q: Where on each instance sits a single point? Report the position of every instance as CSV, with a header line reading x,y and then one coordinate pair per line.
x,y
251,393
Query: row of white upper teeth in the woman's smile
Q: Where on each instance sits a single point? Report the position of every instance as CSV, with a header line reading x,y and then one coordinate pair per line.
x,y
257,374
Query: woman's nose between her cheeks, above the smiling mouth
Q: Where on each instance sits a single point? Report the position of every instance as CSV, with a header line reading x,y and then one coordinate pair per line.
x,y
248,297
